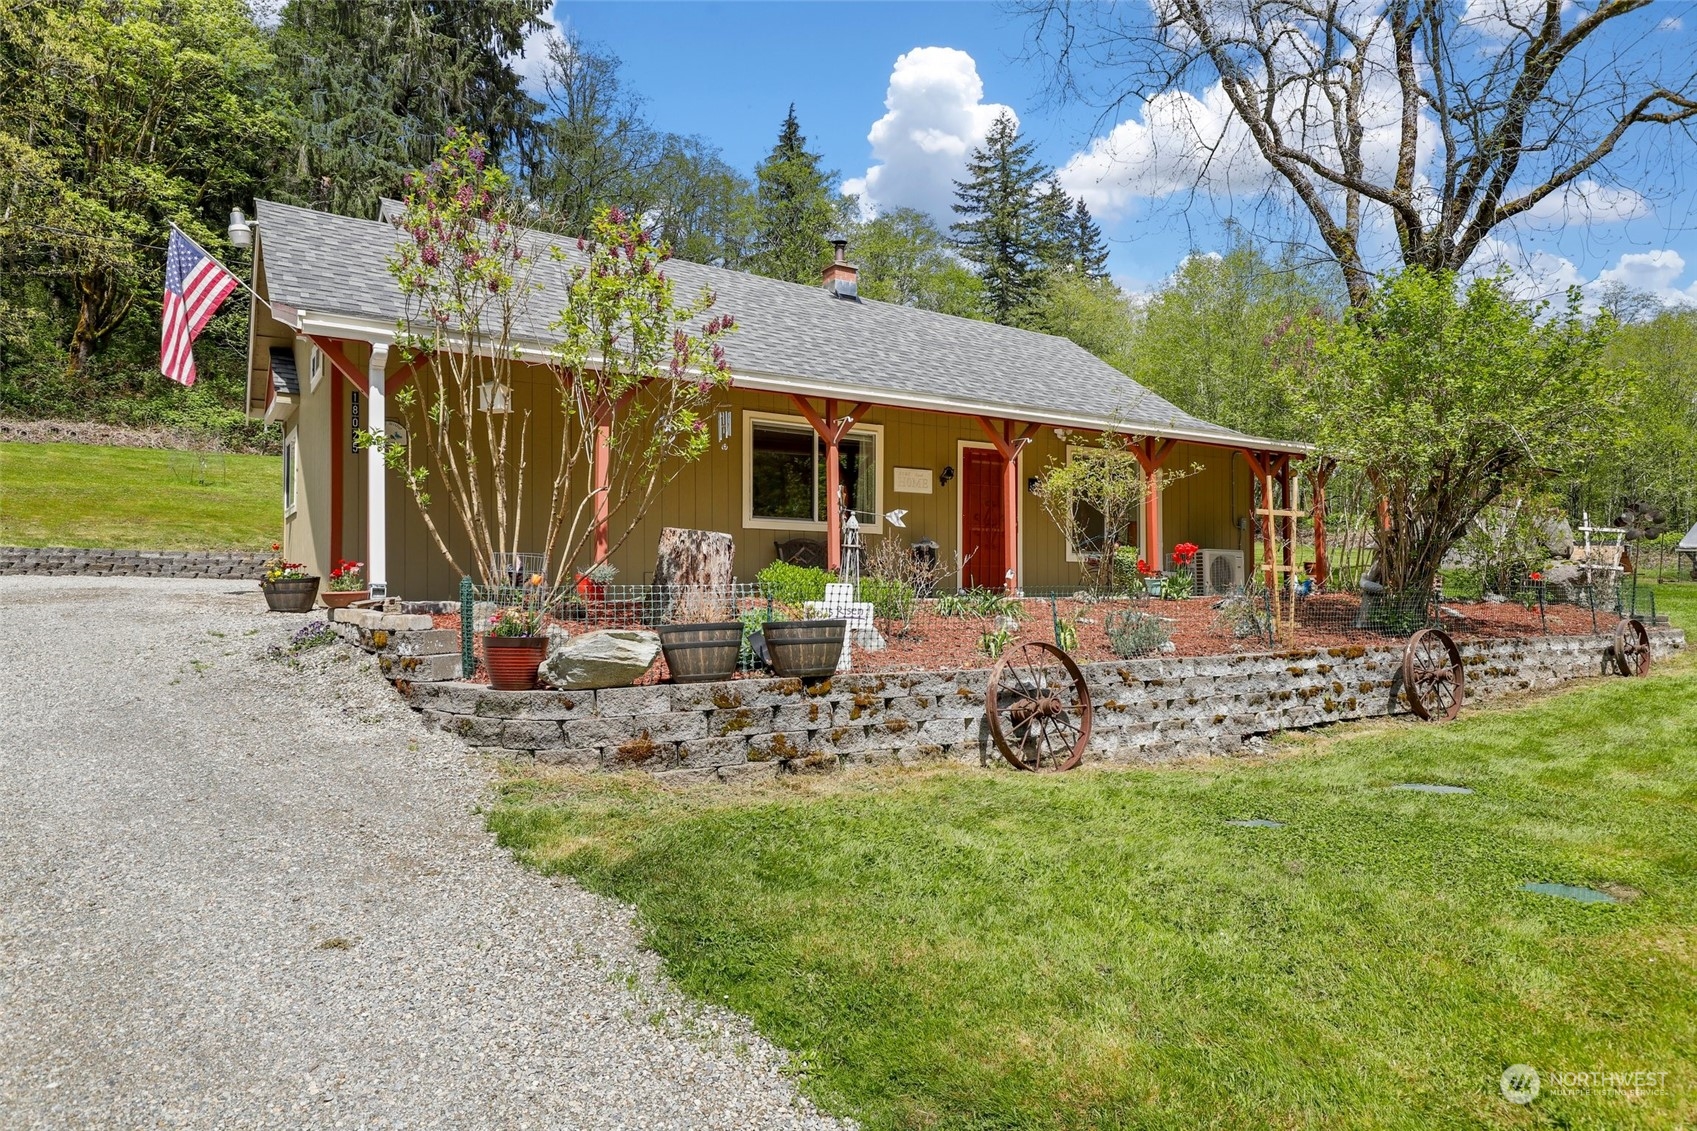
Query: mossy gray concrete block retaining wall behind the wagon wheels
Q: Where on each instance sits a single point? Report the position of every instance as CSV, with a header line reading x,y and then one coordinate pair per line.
x,y
1145,711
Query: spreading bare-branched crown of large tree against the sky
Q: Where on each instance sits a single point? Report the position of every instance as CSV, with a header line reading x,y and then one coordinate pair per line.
x,y
1438,123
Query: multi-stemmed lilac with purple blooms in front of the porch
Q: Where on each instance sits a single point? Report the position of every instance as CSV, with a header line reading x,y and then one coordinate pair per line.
x,y
634,371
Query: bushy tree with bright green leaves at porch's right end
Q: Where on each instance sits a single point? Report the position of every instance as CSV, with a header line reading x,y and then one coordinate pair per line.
x,y
1447,398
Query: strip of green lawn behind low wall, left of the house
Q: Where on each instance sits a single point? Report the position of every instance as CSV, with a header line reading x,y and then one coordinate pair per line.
x,y
137,498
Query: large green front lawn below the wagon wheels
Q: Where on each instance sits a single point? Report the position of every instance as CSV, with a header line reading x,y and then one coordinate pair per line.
x,y
960,948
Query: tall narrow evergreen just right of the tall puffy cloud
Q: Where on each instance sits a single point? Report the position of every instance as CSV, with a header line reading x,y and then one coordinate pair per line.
x,y
1000,230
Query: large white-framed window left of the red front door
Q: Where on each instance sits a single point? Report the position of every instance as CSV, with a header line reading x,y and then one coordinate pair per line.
x,y
785,475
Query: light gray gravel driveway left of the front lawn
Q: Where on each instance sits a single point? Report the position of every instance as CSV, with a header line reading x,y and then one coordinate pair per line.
x,y
238,894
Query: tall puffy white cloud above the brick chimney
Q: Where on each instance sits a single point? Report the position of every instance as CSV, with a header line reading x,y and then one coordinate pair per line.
x,y
936,115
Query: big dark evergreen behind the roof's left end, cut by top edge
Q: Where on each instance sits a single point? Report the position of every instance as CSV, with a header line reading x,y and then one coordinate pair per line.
x,y
378,84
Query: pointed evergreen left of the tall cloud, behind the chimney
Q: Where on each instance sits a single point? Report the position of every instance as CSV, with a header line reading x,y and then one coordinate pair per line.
x,y
793,210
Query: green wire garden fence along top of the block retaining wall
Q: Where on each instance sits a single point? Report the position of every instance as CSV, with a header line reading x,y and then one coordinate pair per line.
x,y
897,629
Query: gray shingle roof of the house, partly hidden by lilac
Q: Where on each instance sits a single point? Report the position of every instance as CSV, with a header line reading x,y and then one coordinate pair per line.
x,y
325,264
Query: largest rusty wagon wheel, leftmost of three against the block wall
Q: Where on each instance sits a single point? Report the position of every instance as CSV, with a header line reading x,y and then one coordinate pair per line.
x,y
1039,709
